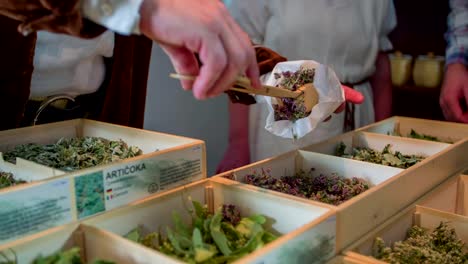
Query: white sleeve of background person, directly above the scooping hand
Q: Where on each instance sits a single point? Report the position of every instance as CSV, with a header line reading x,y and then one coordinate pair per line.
x,y
252,16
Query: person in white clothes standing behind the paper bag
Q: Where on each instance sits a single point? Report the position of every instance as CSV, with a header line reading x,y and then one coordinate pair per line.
x,y
349,36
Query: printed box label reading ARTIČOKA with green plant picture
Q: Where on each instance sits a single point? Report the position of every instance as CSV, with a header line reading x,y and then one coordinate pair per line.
x,y
129,182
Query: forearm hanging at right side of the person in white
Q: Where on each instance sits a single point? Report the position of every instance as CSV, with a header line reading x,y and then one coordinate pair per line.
x,y
381,84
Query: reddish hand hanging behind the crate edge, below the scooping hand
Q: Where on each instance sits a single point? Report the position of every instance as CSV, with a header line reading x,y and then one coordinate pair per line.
x,y
236,155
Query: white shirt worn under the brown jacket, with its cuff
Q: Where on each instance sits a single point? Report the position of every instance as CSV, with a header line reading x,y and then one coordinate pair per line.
x,y
75,66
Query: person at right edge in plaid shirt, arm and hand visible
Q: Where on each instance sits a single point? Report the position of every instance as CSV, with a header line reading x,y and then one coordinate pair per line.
x,y
454,93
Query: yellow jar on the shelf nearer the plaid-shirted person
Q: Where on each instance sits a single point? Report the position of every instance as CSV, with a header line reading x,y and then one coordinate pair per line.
x,y
428,71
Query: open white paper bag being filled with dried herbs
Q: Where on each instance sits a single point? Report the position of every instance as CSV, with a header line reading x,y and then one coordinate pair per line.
x,y
331,96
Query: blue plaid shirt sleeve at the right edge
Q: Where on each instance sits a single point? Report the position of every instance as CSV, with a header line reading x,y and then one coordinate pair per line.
x,y
457,33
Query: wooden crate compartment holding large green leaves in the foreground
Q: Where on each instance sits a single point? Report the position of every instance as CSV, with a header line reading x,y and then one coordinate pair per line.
x,y
308,231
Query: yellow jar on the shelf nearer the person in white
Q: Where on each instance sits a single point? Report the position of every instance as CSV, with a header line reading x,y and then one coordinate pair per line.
x,y
400,68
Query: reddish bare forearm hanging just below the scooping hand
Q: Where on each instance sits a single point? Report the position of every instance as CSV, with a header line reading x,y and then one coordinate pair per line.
x,y
239,123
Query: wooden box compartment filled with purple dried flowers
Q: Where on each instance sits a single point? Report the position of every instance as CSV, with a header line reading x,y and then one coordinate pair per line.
x,y
359,209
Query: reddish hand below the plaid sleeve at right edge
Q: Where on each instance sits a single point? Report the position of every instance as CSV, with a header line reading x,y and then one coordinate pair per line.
x,y
454,95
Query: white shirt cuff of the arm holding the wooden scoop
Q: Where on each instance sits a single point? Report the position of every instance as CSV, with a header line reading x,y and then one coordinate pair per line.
x,y
121,16
